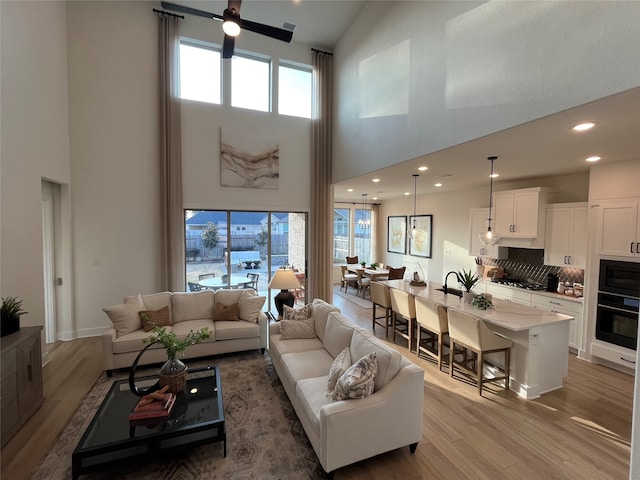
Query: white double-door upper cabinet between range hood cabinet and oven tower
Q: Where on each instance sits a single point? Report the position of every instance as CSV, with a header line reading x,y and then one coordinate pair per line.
x,y
566,235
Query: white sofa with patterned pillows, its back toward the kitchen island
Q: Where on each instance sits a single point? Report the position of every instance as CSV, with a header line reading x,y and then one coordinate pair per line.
x,y
346,431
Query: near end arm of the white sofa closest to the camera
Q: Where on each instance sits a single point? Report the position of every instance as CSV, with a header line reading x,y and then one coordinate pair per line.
x,y
352,430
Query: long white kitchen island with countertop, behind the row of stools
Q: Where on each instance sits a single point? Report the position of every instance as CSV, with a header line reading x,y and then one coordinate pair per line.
x,y
539,356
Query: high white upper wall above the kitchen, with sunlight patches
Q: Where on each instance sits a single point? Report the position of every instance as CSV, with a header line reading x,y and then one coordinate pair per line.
x,y
413,78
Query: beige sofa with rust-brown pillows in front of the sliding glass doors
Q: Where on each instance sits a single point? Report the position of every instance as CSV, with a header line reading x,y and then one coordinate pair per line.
x,y
122,342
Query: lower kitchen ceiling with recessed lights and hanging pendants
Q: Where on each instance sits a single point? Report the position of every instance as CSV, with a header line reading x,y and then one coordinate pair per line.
x,y
541,148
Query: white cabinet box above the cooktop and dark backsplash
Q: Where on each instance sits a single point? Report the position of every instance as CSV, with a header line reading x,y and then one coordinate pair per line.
x,y
519,216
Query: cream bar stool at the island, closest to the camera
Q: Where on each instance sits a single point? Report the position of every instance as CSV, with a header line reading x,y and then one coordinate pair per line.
x,y
471,333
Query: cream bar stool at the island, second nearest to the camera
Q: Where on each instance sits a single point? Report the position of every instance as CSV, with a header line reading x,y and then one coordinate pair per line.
x,y
432,320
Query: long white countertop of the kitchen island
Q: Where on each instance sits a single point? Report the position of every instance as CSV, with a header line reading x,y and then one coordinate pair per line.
x,y
509,315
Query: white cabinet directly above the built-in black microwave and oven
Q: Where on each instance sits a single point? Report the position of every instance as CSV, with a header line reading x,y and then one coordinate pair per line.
x,y
618,228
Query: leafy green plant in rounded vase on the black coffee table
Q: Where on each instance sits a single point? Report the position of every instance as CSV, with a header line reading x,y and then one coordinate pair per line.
x,y
174,372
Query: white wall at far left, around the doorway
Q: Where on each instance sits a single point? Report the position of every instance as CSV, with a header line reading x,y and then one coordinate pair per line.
x,y
35,140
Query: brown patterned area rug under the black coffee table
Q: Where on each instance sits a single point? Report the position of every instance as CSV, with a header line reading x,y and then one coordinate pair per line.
x,y
265,439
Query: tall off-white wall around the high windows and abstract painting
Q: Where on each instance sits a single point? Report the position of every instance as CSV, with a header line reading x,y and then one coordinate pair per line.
x,y
113,92
